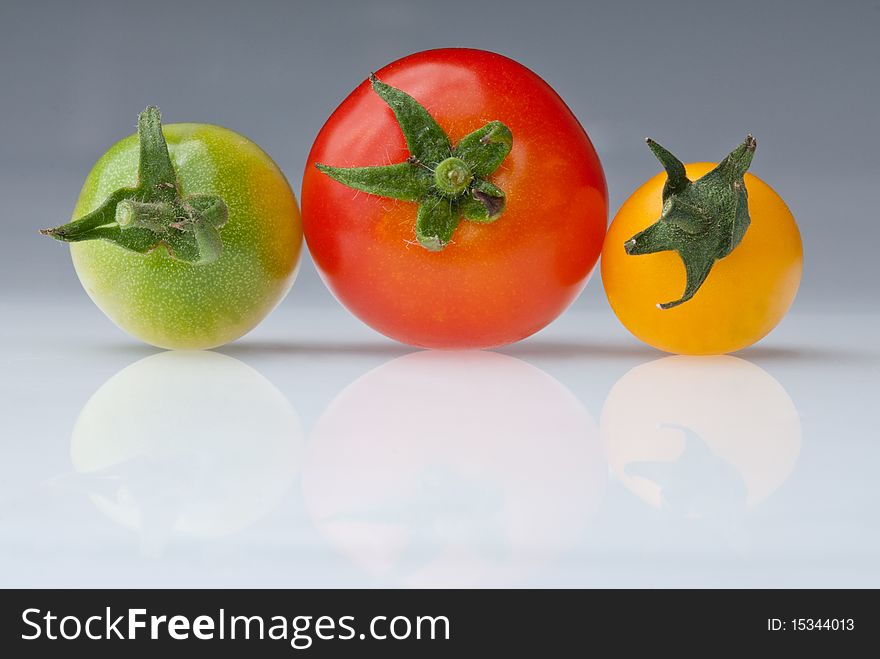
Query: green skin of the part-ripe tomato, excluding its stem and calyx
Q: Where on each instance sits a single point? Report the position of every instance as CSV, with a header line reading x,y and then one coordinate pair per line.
x,y
172,304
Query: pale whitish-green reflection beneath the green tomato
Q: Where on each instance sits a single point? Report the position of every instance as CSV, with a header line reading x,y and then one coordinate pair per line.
x,y
192,443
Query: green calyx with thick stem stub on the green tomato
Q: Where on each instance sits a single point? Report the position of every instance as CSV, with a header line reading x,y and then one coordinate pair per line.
x,y
154,213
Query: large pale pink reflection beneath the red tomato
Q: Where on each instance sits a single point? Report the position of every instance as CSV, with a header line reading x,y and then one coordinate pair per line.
x,y
443,468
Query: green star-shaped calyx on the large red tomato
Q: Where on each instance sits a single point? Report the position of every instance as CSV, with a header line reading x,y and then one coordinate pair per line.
x,y
449,183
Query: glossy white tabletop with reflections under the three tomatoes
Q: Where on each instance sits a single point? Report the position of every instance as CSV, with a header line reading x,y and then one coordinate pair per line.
x,y
316,453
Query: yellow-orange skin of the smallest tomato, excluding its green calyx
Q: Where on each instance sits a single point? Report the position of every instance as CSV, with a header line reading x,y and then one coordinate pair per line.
x,y
745,295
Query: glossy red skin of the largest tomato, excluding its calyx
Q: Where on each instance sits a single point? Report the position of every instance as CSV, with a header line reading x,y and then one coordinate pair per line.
x,y
494,283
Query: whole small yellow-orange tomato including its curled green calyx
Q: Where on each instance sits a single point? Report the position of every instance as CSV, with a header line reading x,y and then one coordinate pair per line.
x,y
710,281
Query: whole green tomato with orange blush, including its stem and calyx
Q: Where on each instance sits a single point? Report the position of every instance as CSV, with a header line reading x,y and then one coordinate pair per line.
x,y
154,279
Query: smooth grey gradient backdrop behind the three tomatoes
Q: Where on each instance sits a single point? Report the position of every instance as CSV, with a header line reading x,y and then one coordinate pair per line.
x,y
801,76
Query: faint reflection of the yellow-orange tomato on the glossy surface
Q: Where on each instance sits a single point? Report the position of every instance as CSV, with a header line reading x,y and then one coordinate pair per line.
x,y
700,436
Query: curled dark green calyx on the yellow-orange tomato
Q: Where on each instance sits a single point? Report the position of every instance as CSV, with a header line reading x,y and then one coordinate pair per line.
x,y
702,220
